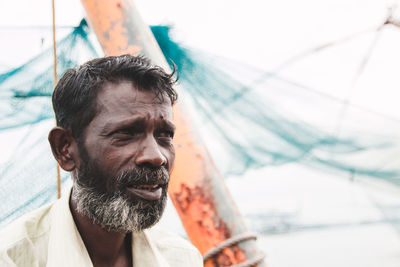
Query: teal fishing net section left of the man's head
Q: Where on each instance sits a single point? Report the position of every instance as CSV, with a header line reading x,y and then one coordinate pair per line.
x,y
28,174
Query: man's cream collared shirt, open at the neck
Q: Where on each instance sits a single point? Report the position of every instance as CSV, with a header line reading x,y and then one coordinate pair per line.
x,y
49,237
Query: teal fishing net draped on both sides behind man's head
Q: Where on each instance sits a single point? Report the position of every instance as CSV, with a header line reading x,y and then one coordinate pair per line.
x,y
247,117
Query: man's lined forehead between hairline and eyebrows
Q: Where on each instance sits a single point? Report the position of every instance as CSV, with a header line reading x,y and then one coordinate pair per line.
x,y
124,99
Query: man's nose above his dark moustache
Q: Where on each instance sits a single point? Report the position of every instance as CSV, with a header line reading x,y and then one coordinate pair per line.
x,y
150,153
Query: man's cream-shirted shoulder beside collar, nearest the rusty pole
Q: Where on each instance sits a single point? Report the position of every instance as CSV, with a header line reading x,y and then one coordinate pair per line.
x,y
176,249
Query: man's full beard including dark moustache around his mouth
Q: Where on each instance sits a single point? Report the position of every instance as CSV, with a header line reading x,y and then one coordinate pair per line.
x,y
104,201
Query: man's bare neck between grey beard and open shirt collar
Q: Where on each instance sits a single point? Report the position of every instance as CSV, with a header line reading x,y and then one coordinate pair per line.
x,y
105,248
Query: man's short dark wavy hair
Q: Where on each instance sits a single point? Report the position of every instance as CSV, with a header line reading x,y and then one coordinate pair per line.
x,y
74,98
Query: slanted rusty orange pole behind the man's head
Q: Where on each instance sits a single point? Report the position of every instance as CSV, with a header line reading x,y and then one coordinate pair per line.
x,y
197,190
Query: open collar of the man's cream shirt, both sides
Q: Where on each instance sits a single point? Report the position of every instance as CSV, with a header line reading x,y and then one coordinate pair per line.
x,y
66,247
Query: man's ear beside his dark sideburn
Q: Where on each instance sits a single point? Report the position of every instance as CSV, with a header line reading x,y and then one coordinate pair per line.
x,y
64,148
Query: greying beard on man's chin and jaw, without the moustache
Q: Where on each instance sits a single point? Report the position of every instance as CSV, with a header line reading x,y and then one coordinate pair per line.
x,y
116,212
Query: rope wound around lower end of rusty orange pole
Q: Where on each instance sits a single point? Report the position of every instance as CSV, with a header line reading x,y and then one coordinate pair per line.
x,y
232,241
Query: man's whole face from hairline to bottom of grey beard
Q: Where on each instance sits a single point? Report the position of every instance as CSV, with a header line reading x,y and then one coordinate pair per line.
x,y
126,154
